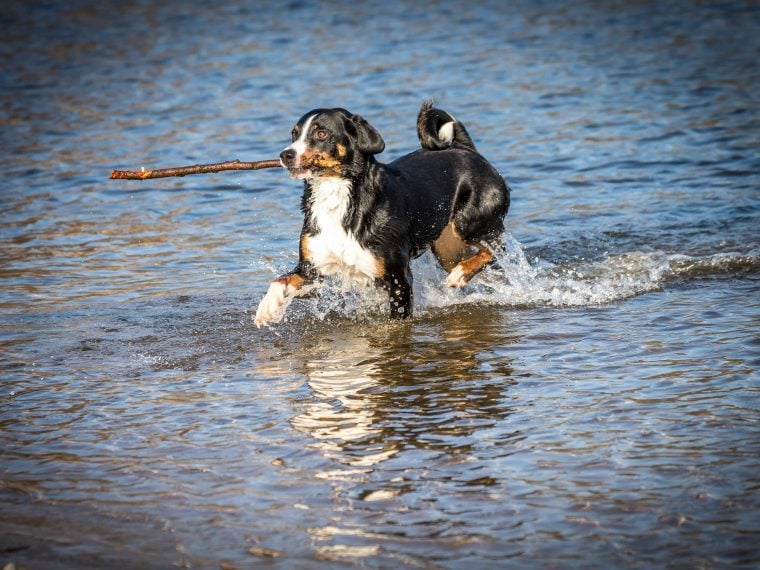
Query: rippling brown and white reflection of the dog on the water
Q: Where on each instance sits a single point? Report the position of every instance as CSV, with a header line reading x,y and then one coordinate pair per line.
x,y
428,386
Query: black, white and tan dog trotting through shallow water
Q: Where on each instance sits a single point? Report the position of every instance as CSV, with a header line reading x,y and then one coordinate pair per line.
x,y
365,221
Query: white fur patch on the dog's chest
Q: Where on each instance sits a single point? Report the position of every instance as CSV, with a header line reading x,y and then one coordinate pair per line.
x,y
333,250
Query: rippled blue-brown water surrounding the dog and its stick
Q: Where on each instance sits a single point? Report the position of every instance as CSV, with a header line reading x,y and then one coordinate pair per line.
x,y
591,404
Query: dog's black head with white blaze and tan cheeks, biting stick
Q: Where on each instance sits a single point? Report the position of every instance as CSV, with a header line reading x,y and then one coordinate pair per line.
x,y
330,143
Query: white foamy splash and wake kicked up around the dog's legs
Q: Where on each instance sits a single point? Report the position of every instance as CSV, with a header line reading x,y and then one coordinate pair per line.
x,y
517,281
